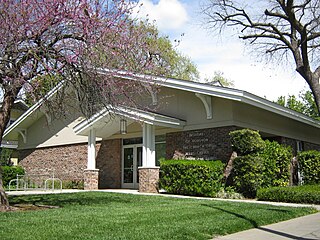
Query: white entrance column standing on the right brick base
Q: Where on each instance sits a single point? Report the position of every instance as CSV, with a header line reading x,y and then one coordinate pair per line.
x,y
149,147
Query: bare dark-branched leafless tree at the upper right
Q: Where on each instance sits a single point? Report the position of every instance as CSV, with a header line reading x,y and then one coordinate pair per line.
x,y
279,28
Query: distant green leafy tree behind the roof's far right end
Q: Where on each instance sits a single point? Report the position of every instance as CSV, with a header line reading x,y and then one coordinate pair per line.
x,y
304,104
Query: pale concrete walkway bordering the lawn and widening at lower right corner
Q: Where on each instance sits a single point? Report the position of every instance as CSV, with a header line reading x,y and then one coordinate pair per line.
x,y
304,228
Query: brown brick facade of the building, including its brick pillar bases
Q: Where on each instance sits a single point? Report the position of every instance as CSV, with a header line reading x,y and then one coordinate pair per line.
x,y
69,162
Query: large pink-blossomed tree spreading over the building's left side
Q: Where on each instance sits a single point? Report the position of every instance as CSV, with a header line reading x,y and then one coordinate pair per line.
x,y
72,40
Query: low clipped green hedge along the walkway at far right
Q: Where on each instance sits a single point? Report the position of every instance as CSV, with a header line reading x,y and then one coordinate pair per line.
x,y
295,194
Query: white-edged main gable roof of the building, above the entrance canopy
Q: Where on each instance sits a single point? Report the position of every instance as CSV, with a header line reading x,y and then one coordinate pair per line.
x,y
29,117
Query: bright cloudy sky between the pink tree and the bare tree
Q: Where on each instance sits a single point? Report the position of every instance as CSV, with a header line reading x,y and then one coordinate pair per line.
x,y
225,53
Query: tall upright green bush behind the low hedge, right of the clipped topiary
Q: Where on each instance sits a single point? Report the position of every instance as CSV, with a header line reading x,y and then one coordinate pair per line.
x,y
276,162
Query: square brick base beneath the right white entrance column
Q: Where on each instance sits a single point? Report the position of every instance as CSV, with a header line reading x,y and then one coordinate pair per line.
x,y
148,179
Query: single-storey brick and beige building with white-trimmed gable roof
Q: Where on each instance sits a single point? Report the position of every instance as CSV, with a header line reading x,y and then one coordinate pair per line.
x,y
189,120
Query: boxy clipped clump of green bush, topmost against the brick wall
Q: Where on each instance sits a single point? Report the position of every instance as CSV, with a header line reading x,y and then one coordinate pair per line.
x,y
246,141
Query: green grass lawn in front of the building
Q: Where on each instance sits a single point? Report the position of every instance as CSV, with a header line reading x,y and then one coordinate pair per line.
x,y
98,215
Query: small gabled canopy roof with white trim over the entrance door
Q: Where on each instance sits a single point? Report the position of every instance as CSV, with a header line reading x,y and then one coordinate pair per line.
x,y
107,121
